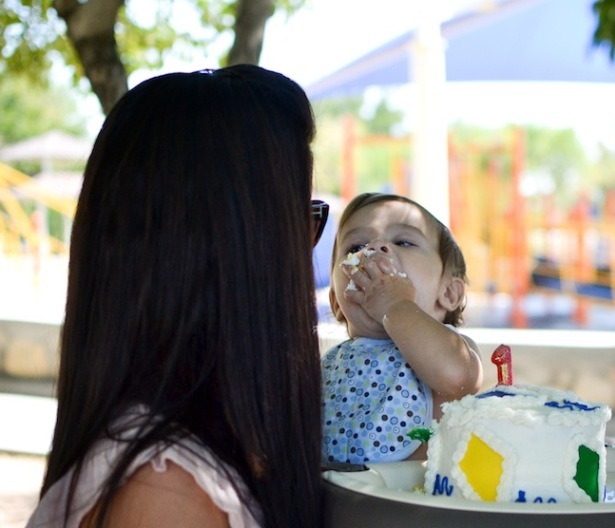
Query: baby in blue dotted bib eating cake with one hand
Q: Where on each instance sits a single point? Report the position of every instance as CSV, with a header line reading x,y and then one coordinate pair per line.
x,y
398,283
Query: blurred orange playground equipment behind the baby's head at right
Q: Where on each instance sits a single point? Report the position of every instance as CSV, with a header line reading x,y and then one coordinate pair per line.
x,y
508,247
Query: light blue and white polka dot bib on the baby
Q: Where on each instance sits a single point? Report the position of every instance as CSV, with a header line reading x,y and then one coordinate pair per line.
x,y
371,400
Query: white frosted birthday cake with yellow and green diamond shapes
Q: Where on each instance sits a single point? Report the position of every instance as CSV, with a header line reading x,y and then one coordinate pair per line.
x,y
518,443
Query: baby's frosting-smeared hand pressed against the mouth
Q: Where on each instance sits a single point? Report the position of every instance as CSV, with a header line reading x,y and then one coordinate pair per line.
x,y
375,282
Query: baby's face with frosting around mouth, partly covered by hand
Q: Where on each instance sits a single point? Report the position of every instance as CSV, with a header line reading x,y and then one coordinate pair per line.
x,y
396,231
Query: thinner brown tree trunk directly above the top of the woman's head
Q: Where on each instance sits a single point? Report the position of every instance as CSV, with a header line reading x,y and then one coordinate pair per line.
x,y
250,19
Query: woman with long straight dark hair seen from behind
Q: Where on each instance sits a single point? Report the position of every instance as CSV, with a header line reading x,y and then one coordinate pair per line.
x,y
188,391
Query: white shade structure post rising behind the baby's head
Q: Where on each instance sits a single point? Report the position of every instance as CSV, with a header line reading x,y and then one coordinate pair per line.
x,y
429,184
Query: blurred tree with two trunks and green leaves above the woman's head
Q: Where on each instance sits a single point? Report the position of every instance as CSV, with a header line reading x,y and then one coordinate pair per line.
x,y
104,42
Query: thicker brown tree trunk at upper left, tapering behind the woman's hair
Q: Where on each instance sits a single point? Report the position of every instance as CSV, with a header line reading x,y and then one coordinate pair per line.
x,y
90,28
